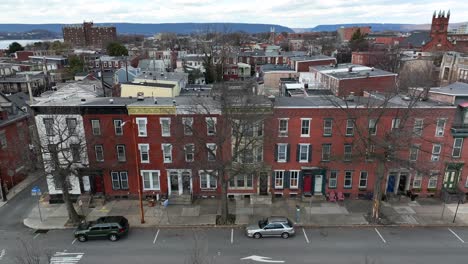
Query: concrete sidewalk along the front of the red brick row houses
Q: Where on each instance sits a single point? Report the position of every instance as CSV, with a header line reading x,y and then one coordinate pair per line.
x,y
423,212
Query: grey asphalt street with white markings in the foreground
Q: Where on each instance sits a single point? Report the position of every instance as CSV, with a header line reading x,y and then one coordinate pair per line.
x,y
323,245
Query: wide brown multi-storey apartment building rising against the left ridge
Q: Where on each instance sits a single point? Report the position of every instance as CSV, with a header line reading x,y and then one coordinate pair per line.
x,y
88,35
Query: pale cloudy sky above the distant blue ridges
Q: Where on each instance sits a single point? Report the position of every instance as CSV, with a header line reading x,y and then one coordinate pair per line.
x,y
290,13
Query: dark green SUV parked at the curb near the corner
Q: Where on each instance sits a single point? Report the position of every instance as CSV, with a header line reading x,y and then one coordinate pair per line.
x,y
111,227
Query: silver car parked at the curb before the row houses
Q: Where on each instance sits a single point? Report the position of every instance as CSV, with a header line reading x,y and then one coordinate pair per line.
x,y
271,226
